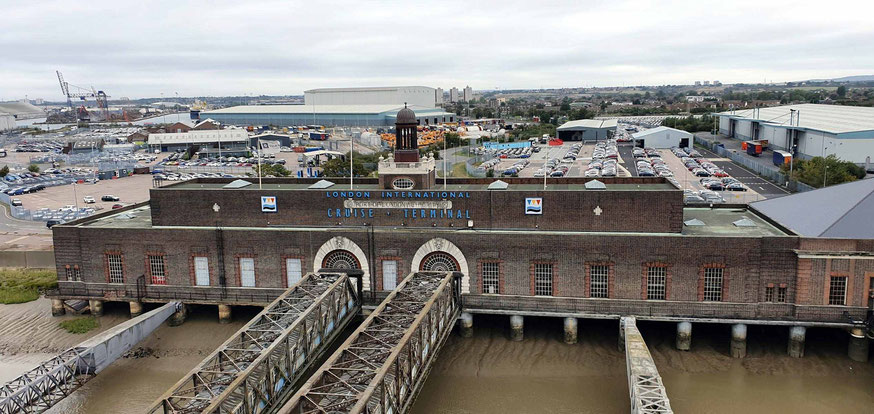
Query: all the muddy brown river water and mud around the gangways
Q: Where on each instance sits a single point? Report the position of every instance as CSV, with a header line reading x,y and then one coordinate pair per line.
x,y
488,373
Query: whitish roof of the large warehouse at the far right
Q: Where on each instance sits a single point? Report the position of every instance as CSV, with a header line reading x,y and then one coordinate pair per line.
x,y
836,119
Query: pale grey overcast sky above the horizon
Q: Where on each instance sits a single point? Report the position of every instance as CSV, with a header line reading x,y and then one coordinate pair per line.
x,y
146,48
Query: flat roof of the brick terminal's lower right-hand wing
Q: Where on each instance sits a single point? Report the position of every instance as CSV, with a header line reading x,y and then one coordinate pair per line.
x,y
721,222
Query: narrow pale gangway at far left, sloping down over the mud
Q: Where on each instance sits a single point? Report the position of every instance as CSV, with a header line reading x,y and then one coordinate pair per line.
x,y
44,386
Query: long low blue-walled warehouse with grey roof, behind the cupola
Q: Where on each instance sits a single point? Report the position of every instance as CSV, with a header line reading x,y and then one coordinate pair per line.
x,y
326,115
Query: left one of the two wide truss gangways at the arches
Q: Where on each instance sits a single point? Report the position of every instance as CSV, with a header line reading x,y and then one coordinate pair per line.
x,y
259,365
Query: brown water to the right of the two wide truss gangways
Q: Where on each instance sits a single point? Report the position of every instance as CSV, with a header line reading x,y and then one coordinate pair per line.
x,y
491,374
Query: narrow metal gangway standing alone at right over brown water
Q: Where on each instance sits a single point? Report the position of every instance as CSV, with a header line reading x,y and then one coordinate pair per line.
x,y
646,390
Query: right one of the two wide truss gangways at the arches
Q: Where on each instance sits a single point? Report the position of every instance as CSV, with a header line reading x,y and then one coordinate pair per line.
x,y
381,367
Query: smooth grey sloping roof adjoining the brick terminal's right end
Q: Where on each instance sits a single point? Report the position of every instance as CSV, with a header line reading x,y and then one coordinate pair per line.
x,y
842,211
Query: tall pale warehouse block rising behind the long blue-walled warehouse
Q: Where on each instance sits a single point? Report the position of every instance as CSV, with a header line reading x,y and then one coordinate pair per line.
x,y
419,96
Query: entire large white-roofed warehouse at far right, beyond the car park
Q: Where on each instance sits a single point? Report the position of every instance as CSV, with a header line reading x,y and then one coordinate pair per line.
x,y
807,130
